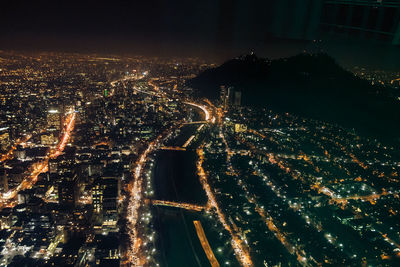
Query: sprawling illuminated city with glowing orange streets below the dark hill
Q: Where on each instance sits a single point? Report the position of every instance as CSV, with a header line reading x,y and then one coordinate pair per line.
x,y
135,170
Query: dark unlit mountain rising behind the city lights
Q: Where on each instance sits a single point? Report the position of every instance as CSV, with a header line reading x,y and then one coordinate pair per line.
x,y
310,85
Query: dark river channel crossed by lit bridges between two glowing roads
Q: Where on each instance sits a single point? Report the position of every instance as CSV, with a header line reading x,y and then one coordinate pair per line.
x,y
175,179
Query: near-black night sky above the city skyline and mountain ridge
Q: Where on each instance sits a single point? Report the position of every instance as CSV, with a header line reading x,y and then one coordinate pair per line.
x,y
216,29
